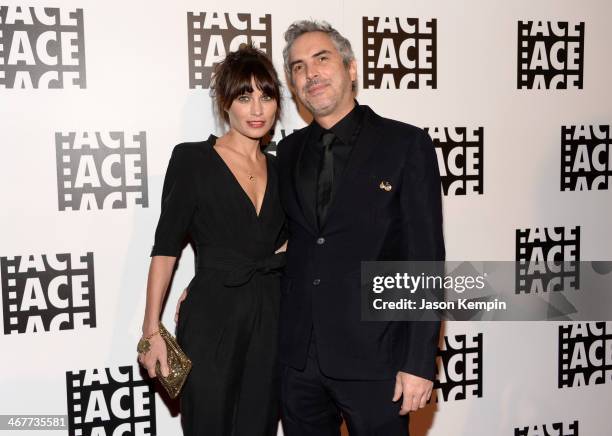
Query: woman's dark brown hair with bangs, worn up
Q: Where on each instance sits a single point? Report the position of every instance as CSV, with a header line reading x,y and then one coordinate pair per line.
x,y
232,78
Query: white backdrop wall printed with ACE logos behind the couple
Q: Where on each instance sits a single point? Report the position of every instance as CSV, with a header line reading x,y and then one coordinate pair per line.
x,y
129,83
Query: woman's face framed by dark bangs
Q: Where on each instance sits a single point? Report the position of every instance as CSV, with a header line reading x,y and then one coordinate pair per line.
x,y
252,114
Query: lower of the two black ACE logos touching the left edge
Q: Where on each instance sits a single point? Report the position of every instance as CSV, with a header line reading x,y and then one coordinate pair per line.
x,y
42,293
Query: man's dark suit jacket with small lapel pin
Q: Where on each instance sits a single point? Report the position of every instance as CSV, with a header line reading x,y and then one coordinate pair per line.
x,y
320,287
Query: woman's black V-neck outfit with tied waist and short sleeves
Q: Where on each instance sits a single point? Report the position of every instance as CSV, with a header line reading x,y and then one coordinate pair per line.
x,y
228,323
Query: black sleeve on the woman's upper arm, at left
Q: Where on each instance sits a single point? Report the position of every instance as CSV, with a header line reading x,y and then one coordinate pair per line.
x,y
179,199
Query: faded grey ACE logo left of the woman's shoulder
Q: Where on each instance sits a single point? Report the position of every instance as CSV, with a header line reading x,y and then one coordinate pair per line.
x,y
101,170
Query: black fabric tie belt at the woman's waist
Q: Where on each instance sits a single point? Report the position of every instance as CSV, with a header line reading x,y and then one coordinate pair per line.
x,y
240,268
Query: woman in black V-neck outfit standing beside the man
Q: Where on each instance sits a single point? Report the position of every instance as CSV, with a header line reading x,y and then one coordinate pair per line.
x,y
223,194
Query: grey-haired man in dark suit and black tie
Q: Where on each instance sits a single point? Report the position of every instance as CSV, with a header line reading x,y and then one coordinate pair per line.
x,y
355,187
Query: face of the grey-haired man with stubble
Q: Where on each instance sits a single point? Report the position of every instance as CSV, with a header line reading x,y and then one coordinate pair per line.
x,y
321,80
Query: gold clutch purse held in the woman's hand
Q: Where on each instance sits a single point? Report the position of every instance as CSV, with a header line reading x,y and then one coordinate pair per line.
x,y
178,363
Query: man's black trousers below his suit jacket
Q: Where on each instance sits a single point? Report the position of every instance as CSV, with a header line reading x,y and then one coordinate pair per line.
x,y
314,404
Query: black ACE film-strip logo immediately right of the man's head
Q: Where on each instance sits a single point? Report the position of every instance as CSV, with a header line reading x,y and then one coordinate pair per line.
x,y
399,53
